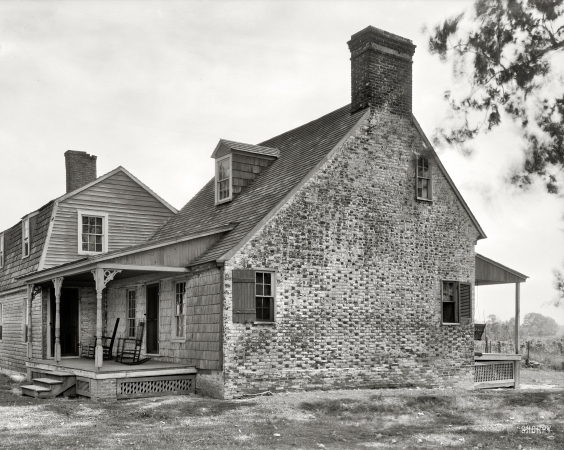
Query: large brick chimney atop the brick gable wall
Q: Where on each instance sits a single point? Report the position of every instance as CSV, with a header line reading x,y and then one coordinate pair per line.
x,y
381,71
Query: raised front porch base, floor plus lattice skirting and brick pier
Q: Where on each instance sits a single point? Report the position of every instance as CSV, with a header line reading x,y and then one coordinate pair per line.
x,y
115,380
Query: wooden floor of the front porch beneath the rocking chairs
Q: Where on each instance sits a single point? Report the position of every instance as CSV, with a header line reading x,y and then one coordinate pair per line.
x,y
84,367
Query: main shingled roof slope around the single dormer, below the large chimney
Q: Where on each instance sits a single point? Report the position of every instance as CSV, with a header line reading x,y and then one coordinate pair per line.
x,y
300,149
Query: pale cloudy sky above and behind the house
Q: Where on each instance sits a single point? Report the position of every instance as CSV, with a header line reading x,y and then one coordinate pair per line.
x,y
153,86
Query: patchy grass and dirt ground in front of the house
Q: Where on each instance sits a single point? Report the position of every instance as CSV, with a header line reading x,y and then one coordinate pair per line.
x,y
352,419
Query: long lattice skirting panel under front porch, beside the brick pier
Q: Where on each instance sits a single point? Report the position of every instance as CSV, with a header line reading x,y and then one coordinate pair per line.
x,y
155,386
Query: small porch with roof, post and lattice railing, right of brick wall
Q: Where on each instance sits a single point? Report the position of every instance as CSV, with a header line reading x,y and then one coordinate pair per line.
x,y
493,370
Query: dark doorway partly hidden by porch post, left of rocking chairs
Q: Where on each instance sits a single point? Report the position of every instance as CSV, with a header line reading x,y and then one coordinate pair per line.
x,y
68,313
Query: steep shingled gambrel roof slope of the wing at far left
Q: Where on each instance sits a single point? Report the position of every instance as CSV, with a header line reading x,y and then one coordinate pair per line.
x,y
14,265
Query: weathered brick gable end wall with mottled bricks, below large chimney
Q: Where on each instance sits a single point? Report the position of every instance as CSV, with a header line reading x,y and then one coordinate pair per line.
x,y
359,267
